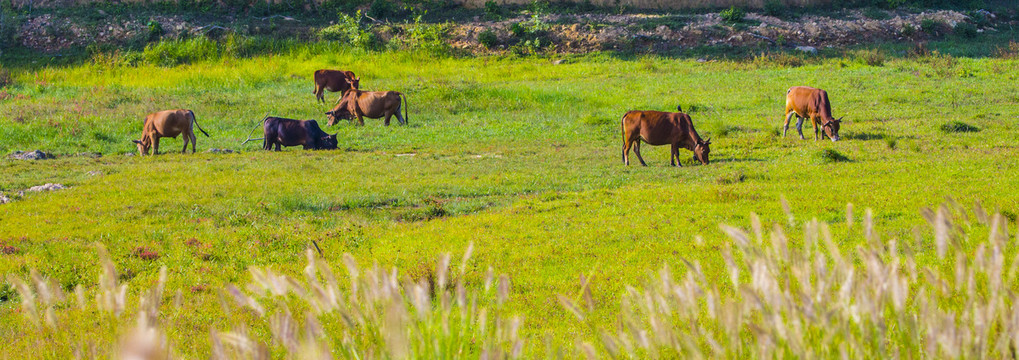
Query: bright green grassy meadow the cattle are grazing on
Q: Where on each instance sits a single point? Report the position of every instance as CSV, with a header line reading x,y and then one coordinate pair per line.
x,y
517,159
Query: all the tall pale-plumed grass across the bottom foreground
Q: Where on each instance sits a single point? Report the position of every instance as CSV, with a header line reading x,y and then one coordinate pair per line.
x,y
783,296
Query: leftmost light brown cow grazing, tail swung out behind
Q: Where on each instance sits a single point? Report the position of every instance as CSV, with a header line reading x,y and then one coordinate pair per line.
x,y
168,124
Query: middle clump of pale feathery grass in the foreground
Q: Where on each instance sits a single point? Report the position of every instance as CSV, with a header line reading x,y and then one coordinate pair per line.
x,y
383,315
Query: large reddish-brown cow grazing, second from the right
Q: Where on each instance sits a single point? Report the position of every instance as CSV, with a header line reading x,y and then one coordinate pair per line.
x,y
658,128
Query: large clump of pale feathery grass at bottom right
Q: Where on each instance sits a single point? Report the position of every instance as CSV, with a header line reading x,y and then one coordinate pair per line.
x,y
824,302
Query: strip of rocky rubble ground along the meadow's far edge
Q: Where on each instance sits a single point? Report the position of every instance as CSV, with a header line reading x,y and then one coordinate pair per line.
x,y
564,33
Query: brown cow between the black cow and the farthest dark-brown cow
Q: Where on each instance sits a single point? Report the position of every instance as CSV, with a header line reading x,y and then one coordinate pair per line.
x,y
360,105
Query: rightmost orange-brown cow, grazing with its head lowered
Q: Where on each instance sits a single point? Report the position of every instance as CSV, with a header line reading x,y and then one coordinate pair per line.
x,y
807,102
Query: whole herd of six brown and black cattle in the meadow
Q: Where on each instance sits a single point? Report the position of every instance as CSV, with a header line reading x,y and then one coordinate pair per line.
x,y
654,128
